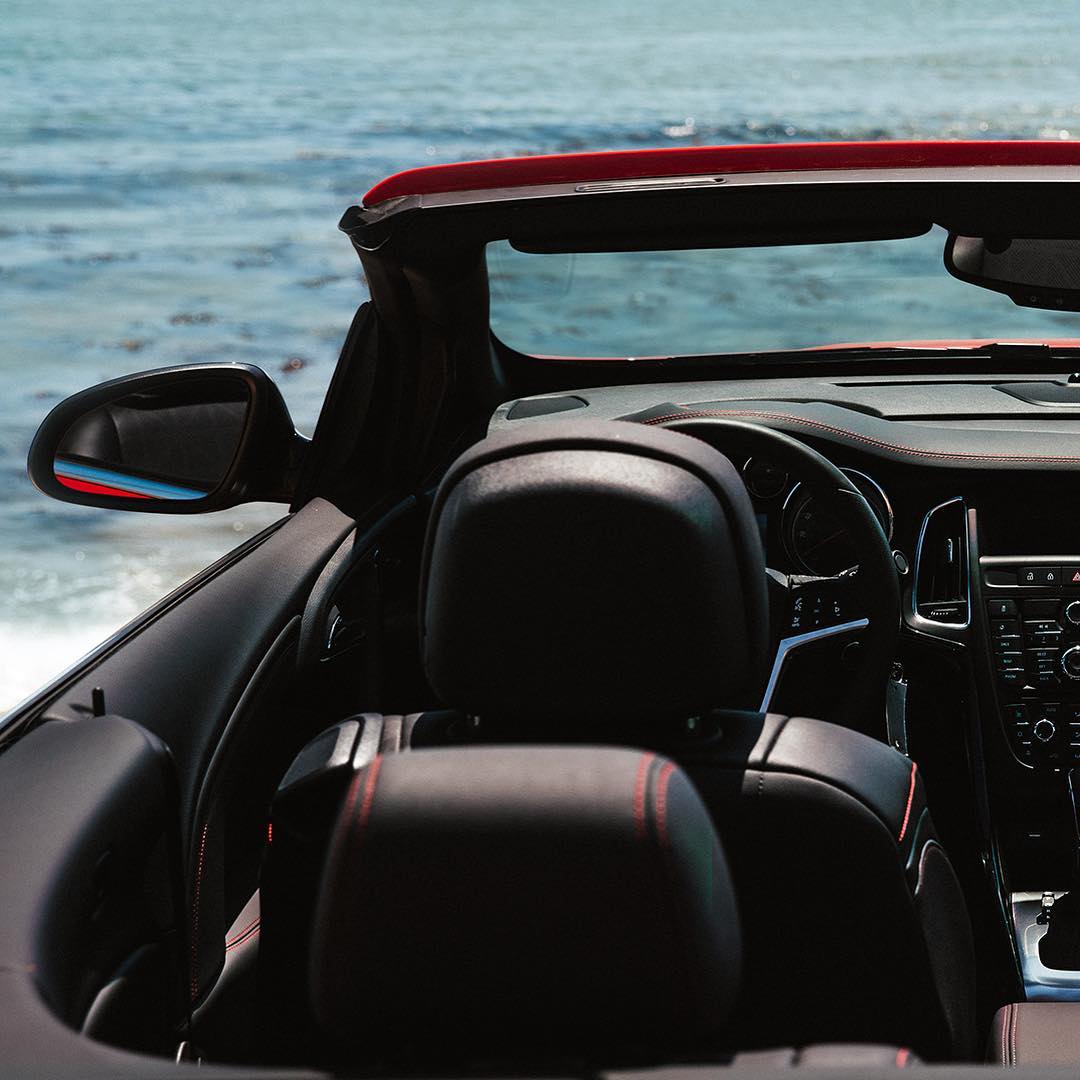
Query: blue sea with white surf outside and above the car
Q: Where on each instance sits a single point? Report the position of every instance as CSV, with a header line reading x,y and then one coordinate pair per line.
x,y
172,175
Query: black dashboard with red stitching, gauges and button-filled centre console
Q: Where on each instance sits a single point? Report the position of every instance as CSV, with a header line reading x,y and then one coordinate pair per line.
x,y
974,481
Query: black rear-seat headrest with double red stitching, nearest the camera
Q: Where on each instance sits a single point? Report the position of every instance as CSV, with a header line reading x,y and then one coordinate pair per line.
x,y
523,902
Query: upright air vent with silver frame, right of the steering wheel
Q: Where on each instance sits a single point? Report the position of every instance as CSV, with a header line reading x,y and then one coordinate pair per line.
x,y
941,593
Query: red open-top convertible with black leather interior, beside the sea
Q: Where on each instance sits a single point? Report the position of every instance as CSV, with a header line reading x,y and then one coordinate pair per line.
x,y
654,711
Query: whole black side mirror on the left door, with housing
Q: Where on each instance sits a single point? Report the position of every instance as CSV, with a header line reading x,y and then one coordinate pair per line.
x,y
177,441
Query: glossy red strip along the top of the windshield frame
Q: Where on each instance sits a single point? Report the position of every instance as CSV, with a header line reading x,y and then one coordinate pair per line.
x,y
687,161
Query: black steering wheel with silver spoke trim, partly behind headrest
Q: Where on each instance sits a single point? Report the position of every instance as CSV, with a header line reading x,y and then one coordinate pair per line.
x,y
863,604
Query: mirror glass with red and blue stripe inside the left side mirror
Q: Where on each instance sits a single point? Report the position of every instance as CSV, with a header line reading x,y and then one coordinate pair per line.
x,y
178,441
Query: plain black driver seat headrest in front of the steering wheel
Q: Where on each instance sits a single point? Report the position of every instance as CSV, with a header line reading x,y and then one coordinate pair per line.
x,y
593,570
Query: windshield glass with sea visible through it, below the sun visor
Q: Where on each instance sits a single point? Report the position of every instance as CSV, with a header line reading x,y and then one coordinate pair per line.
x,y
749,300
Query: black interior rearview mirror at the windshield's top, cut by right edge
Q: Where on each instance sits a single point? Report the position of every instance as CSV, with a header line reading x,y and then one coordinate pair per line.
x,y
1033,273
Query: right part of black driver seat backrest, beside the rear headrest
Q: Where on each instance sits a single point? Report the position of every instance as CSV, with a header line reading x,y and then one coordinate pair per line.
x,y
855,924
